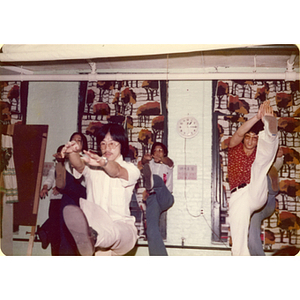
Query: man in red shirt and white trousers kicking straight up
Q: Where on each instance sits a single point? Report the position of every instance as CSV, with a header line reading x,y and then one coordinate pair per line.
x,y
252,150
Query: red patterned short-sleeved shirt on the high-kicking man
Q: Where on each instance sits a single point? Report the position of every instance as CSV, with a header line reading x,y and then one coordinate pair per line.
x,y
239,166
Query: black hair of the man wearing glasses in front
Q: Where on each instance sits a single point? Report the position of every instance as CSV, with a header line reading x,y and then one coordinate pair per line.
x,y
117,133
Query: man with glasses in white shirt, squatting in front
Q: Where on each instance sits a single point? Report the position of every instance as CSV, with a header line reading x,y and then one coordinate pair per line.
x,y
103,221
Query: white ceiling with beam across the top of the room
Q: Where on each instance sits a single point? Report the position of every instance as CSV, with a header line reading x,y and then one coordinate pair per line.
x,y
77,59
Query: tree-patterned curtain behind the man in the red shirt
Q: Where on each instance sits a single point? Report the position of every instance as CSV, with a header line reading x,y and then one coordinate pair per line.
x,y
234,103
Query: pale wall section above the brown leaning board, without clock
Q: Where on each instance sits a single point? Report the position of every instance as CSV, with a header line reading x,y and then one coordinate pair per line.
x,y
55,104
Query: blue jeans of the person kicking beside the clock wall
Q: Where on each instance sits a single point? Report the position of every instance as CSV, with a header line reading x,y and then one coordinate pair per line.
x,y
157,203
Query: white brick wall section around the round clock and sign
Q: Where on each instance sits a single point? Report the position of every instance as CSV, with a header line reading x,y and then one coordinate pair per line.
x,y
191,196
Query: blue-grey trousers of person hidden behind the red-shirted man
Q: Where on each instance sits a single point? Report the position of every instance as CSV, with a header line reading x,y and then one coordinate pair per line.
x,y
254,241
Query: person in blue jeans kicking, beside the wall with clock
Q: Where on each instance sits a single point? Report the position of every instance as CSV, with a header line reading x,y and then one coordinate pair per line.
x,y
158,176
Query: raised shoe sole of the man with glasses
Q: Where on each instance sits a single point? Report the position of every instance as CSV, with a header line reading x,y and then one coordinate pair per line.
x,y
78,226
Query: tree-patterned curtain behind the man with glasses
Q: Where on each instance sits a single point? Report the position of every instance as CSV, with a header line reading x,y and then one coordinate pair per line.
x,y
140,107
